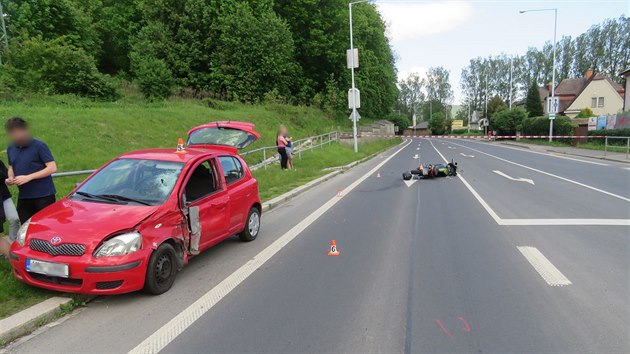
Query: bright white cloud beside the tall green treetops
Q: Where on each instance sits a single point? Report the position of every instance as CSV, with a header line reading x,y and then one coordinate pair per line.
x,y
411,20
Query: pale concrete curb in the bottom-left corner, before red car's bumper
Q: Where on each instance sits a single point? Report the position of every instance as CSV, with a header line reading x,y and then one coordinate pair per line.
x,y
29,319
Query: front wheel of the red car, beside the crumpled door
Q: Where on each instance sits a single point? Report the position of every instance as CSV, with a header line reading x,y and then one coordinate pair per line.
x,y
161,270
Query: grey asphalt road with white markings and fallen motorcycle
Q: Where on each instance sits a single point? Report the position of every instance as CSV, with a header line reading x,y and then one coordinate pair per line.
x,y
524,252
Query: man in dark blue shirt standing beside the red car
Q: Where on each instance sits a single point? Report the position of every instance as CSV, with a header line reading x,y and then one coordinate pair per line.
x,y
31,165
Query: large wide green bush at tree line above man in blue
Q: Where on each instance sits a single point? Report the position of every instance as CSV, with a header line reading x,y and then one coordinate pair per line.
x,y
58,67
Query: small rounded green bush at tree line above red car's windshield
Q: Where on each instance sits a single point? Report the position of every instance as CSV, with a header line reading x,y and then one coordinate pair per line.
x,y
154,78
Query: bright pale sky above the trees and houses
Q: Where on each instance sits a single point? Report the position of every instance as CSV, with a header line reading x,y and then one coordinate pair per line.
x,y
448,33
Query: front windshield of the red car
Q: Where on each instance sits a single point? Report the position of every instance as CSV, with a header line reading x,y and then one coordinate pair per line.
x,y
132,181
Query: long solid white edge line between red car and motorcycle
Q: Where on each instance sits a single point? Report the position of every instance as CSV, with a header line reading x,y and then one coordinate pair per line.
x,y
178,324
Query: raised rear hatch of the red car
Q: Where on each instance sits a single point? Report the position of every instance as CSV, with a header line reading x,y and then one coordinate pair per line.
x,y
234,134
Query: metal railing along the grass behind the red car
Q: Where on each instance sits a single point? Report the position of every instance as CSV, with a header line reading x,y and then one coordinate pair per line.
x,y
260,157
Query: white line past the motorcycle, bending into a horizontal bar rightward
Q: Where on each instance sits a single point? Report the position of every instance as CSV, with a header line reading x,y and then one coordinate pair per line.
x,y
534,222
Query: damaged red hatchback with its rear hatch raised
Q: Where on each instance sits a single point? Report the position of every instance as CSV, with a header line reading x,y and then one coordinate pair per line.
x,y
135,222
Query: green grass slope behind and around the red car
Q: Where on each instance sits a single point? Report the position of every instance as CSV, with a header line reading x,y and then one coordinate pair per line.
x,y
84,135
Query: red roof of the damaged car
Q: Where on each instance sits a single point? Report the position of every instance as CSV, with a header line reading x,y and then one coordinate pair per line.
x,y
172,156
